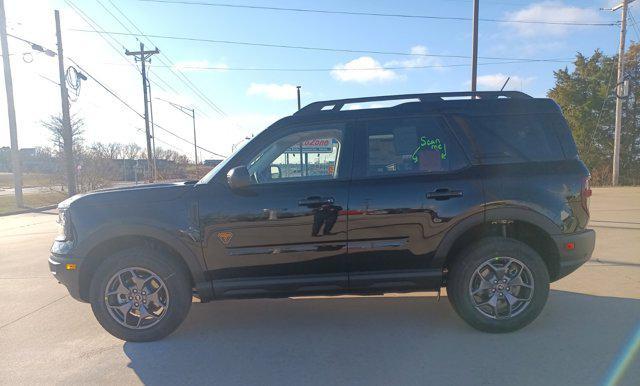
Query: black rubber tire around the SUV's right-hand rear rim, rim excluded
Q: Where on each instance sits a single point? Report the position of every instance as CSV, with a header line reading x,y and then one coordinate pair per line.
x,y
476,256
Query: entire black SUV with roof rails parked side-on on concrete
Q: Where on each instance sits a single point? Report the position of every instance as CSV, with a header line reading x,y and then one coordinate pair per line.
x,y
483,194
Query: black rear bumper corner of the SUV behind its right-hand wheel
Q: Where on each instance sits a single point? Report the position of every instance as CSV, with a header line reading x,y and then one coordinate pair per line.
x,y
571,259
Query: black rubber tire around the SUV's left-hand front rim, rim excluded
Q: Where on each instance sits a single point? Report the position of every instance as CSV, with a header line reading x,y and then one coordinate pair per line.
x,y
174,277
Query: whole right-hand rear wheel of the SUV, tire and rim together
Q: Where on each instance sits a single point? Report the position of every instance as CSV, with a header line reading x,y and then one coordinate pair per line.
x,y
498,285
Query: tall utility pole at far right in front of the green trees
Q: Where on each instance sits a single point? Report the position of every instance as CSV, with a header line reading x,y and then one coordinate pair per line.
x,y
619,91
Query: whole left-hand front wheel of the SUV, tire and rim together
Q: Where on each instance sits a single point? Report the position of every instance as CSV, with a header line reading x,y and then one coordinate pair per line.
x,y
140,294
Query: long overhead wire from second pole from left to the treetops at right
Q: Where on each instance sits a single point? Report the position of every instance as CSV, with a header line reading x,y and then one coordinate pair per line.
x,y
313,48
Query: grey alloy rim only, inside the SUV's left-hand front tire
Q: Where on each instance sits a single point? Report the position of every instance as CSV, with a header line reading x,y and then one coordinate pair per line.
x,y
136,298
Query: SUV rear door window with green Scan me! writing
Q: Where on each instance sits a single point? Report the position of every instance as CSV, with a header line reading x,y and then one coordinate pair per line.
x,y
414,145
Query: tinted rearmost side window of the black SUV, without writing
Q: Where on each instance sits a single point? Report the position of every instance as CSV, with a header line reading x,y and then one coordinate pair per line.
x,y
510,138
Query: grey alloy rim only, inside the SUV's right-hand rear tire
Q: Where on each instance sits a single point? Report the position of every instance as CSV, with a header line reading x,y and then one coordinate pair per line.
x,y
501,287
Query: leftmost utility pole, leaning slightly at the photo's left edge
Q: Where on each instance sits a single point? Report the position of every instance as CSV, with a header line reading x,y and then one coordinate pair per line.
x,y
13,129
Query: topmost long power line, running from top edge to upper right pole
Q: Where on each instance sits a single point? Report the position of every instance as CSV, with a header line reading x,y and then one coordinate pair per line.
x,y
376,14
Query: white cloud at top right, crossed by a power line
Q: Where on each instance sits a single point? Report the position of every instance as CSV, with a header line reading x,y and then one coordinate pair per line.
x,y
551,11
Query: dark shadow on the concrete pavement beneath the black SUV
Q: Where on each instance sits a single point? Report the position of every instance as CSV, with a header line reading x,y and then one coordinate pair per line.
x,y
387,341
